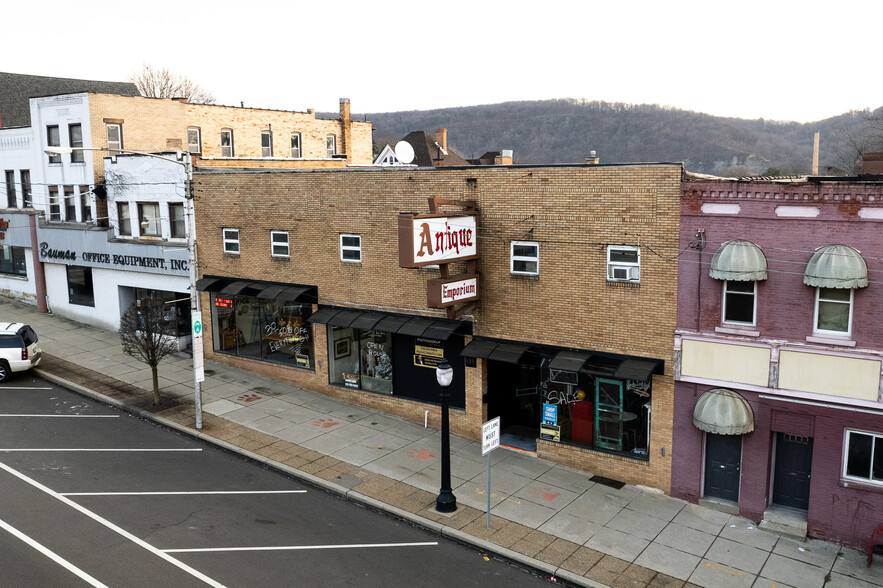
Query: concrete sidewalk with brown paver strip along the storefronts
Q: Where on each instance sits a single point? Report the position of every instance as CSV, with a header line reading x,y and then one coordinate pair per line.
x,y
545,515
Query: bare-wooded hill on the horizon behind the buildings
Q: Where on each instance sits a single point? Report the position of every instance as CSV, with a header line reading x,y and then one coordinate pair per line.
x,y
566,131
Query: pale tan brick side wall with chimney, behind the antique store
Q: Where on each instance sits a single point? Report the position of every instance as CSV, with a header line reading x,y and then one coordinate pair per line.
x,y
160,124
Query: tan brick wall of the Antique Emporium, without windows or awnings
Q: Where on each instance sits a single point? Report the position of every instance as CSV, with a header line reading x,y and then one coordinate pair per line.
x,y
573,212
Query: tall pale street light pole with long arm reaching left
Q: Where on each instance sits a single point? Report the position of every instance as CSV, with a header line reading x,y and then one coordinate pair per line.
x,y
195,309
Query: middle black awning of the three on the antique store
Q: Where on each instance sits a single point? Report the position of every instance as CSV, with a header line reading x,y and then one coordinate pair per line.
x,y
389,323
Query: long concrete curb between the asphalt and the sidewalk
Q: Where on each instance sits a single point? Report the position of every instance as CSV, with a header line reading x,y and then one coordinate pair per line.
x,y
331,487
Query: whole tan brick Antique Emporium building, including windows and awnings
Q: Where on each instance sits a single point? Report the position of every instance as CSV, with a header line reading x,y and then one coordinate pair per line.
x,y
303,282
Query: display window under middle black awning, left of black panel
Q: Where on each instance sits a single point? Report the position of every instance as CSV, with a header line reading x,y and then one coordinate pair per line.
x,y
360,359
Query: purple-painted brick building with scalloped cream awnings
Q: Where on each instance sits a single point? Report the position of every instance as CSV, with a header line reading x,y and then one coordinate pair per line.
x,y
778,351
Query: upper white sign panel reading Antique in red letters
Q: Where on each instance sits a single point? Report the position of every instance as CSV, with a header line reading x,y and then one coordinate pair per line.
x,y
429,239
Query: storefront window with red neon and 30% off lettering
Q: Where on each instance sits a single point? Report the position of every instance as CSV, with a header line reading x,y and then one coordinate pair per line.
x,y
263,329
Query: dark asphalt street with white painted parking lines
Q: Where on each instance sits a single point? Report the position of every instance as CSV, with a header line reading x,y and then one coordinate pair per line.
x,y
93,496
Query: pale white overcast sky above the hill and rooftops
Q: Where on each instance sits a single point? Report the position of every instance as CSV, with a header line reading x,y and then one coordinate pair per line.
x,y
776,59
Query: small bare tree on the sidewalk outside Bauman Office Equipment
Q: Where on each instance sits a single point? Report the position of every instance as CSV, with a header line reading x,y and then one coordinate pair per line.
x,y
147,335
